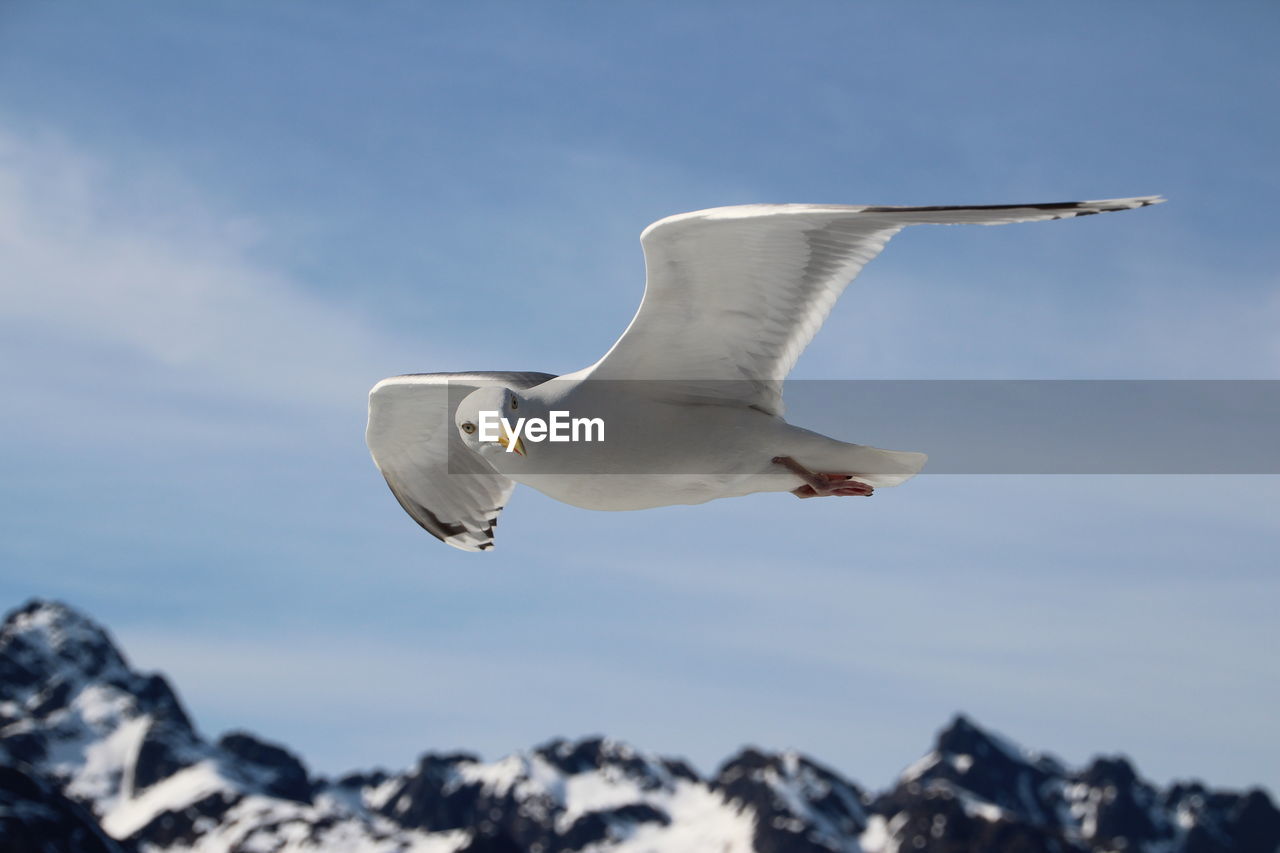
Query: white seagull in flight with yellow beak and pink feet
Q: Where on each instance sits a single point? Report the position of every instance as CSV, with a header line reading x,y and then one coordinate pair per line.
x,y
687,407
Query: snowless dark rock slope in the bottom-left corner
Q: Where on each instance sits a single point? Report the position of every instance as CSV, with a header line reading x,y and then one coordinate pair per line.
x,y
35,816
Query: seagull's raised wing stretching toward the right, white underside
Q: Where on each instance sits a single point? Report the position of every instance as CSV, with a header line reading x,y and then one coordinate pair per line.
x,y
737,294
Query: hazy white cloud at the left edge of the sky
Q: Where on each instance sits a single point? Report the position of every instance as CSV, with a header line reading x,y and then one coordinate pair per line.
x,y
100,263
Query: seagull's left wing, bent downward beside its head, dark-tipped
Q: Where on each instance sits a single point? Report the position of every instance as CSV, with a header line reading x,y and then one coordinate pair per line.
x,y
449,489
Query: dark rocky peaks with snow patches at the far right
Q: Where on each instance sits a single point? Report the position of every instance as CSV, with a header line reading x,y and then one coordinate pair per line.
x,y
979,793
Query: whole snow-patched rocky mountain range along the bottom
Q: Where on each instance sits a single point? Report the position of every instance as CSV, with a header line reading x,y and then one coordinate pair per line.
x,y
97,758
